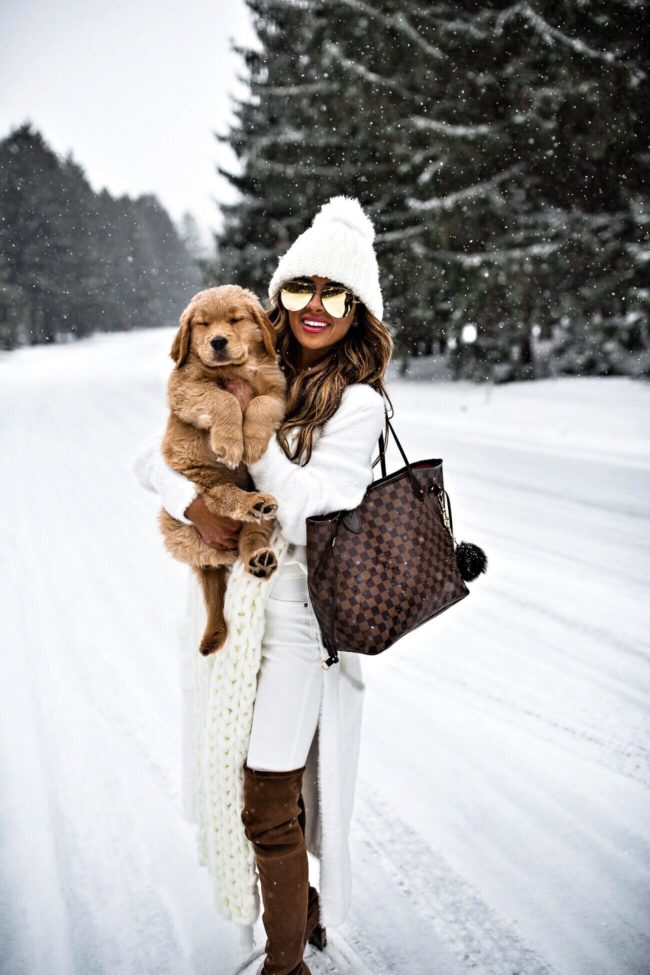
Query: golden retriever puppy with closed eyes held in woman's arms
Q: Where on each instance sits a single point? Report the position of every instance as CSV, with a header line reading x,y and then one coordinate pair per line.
x,y
224,338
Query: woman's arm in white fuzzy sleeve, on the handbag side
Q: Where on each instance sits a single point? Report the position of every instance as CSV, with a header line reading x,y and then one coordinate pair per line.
x,y
339,470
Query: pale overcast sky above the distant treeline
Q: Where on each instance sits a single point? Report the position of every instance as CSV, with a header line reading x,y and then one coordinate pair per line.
x,y
134,88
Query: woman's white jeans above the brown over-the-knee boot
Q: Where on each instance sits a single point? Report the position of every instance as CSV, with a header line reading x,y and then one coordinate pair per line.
x,y
287,702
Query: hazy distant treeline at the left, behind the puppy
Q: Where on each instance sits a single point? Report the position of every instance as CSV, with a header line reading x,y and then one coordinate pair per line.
x,y
75,262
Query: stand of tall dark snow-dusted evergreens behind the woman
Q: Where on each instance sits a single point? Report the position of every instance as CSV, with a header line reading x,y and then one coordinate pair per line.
x,y
502,151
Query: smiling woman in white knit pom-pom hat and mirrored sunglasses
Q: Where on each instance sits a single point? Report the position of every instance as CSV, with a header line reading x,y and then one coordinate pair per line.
x,y
301,743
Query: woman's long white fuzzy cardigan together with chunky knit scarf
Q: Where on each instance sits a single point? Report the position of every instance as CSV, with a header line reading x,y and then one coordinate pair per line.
x,y
219,691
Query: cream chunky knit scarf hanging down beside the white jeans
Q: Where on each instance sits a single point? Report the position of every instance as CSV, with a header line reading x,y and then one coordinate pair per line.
x,y
225,685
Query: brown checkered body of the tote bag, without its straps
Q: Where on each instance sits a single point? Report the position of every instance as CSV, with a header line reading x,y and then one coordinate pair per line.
x,y
373,586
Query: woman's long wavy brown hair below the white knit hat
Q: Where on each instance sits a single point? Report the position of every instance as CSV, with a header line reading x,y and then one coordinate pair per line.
x,y
314,393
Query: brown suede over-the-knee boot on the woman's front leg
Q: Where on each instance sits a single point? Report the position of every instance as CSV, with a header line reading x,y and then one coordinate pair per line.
x,y
270,818
